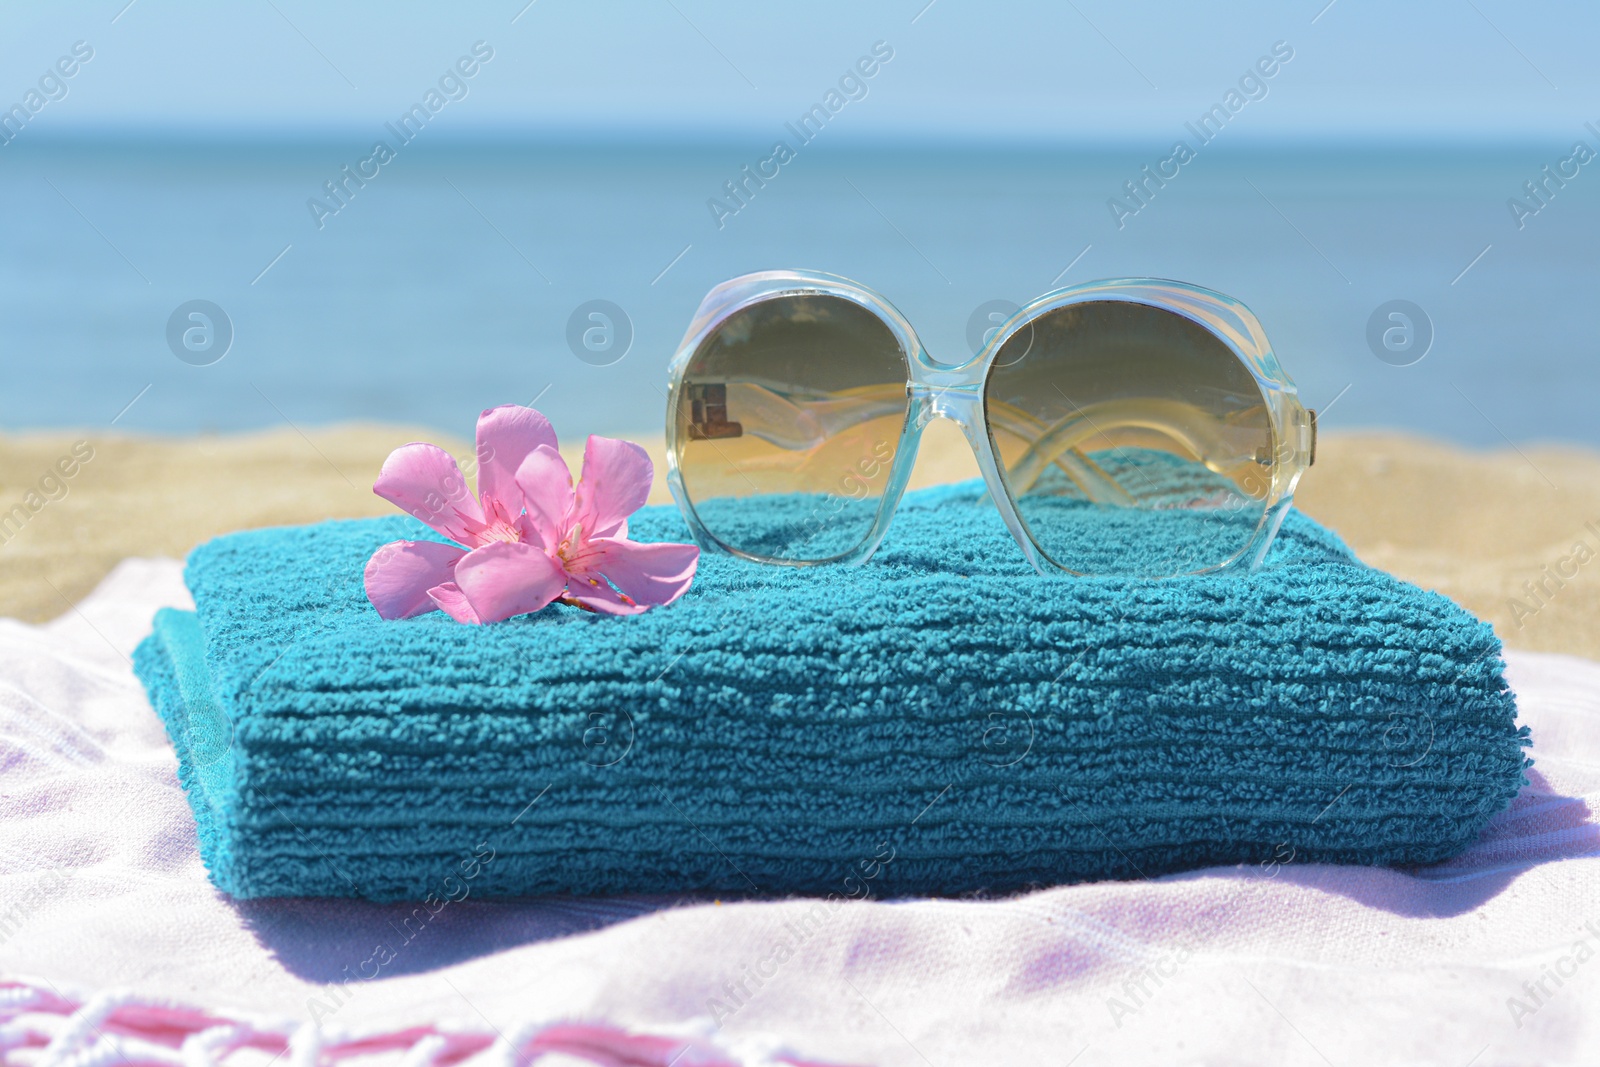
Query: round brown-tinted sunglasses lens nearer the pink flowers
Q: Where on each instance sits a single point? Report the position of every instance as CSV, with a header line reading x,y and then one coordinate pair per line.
x,y
788,422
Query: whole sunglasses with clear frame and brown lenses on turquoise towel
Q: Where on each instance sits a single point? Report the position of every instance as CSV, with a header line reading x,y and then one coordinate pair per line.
x,y
1132,428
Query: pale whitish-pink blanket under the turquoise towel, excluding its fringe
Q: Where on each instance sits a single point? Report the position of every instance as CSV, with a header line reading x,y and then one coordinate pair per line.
x,y
1490,959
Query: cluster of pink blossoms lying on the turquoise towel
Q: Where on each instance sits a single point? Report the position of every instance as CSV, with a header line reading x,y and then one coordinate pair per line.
x,y
530,535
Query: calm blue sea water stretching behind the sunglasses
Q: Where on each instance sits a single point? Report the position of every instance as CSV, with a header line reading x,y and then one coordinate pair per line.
x,y
447,282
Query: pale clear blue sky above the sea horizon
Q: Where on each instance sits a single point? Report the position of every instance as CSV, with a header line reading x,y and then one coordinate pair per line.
x,y
1089,70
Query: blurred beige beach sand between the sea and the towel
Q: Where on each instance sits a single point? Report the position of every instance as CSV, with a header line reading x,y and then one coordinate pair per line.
x,y
1498,532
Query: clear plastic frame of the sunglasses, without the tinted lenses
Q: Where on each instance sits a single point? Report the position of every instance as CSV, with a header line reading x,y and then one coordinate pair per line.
x,y
956,393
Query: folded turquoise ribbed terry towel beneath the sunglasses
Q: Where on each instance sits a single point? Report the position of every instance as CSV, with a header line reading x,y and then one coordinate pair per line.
x,y
940,721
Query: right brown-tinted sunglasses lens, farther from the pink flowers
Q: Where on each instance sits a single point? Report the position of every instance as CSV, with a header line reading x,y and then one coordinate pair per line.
x,y
1135,441
